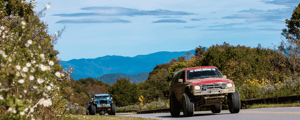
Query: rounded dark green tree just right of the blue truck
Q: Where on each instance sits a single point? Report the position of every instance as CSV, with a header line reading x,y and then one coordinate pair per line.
x,y
123,92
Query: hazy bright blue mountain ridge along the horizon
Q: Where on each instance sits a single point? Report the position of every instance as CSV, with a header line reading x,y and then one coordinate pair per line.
x,y
97,67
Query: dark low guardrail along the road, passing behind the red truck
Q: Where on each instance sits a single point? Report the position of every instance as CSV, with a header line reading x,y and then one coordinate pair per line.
x,y
244,103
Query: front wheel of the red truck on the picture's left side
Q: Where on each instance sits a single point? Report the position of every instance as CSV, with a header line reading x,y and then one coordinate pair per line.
x,y
188,106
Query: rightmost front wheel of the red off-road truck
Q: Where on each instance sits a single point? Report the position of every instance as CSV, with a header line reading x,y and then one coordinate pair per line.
x,y
234,102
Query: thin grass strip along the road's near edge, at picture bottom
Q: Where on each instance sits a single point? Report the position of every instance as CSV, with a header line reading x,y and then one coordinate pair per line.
x,y
103,117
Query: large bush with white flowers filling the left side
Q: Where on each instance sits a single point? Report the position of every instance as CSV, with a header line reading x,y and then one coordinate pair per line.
x,y
30,74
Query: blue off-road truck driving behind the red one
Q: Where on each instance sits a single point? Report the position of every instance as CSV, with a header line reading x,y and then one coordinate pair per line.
x,y
101,103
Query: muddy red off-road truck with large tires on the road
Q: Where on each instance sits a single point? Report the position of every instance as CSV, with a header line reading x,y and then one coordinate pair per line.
x,y
192,88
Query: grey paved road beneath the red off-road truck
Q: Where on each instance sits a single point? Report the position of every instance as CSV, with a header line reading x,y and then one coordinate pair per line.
x,y
287,113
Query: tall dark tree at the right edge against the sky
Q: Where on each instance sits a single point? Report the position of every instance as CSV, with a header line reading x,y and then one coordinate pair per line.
x,y
292,46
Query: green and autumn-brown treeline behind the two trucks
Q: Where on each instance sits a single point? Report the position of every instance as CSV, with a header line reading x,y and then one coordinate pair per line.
x,y
239,63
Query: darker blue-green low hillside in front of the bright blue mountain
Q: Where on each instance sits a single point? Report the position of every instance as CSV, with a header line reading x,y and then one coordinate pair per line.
x,y
111,78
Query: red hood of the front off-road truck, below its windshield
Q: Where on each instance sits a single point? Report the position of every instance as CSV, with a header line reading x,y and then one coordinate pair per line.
x,y
209,81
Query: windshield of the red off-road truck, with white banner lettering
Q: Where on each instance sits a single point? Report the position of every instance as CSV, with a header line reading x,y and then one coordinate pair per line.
x,y
203,73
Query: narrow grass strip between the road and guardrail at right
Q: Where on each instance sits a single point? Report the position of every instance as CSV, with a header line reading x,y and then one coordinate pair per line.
x,y
288,104
